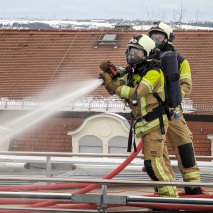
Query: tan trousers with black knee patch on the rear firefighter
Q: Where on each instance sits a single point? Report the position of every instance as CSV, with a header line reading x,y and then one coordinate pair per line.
x,y
180,138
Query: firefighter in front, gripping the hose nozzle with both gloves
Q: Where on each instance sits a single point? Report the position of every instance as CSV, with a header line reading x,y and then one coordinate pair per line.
x,y
138,87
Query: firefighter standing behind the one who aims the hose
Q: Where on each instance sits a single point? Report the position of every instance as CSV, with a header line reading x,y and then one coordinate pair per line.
x,y
178,133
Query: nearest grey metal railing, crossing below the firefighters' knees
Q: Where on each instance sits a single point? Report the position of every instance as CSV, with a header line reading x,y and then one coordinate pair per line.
x,y
102,199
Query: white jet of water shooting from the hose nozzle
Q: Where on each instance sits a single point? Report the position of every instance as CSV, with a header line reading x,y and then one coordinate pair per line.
x,y
22,123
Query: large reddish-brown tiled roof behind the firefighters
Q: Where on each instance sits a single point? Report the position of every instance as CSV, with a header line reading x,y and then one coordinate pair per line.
x,y
33,61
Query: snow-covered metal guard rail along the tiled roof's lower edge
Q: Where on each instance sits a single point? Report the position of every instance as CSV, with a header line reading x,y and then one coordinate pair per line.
x,y
93,103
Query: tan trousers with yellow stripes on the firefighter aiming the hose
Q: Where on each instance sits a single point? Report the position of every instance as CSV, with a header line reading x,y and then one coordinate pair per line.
x,y
154,161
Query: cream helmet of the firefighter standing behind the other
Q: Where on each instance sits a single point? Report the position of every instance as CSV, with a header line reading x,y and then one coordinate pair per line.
x,y
164,28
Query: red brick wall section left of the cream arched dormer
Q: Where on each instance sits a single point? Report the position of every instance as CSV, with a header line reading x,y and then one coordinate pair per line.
x,y
50,136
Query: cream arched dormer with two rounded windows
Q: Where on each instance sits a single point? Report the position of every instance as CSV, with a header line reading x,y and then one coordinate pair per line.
x,y
104,132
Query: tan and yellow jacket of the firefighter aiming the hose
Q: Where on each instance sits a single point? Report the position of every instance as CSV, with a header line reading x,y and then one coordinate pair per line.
x,y
152,81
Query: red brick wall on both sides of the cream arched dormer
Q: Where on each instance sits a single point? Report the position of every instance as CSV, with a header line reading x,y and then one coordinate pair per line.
x,y
51,135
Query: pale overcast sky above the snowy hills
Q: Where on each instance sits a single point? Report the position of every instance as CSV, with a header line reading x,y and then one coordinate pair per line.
x,y
165,10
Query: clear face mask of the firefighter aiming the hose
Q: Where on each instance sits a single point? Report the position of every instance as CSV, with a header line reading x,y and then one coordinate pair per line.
x,y
135,56
